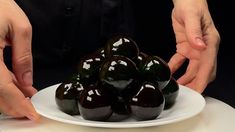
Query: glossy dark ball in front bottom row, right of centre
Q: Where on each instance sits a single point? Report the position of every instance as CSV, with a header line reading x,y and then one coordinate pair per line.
x,y
148,102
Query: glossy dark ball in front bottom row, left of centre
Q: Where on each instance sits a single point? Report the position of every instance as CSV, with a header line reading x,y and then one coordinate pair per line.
x,y
95,103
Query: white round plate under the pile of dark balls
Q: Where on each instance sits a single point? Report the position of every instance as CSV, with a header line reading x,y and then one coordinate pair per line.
x,y
188,104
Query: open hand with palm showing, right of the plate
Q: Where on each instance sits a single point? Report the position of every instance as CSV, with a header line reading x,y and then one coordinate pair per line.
x,y
197,40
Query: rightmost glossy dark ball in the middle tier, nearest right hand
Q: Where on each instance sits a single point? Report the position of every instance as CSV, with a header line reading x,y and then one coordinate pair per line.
x,y
155,69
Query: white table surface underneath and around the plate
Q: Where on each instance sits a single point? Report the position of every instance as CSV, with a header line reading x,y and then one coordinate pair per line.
x,y
216,117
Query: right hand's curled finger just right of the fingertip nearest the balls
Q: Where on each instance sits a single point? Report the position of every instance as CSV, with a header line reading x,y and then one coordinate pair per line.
x,y
189,74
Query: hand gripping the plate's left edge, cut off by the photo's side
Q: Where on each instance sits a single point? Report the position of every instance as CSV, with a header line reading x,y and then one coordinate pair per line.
x,y
16,86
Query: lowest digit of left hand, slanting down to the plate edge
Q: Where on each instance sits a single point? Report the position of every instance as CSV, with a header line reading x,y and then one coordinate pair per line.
x,y
12,96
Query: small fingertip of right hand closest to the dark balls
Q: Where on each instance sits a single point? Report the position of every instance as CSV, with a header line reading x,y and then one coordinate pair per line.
x,y
176,62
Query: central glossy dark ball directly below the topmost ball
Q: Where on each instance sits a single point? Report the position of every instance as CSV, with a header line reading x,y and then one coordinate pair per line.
x,y
118,72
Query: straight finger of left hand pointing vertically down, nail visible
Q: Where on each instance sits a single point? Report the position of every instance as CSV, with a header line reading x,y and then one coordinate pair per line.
x,y
22,57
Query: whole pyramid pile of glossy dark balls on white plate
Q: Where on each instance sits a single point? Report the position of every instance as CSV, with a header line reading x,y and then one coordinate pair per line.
x,y
118,79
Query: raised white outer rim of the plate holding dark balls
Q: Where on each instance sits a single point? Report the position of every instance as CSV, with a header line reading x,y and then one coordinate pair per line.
x,y
101,124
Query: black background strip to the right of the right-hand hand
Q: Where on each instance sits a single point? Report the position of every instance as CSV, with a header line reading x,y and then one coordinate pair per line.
x,y
222,88
